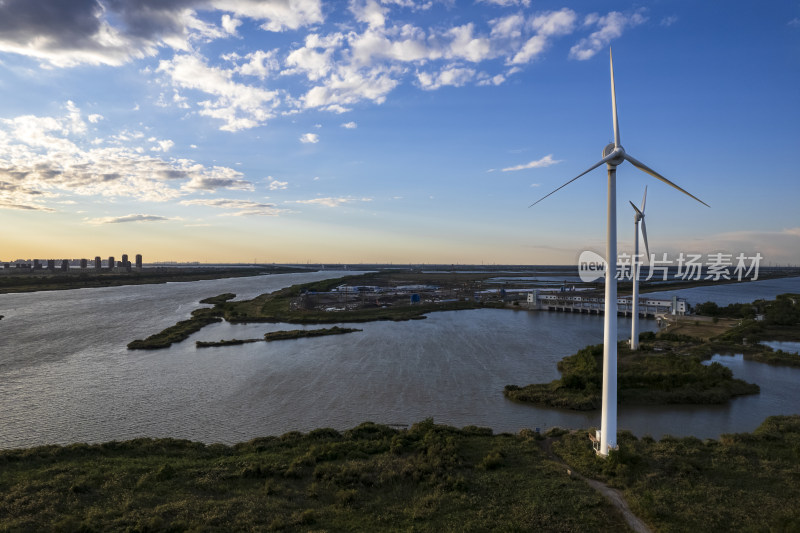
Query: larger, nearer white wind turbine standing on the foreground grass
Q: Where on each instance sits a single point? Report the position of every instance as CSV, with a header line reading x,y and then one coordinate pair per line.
x,y
613,155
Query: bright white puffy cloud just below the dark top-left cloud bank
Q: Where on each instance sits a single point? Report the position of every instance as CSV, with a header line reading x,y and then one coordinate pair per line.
x,y
238,105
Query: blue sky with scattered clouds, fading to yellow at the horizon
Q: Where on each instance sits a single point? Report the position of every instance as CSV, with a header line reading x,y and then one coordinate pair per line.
x,y
402,131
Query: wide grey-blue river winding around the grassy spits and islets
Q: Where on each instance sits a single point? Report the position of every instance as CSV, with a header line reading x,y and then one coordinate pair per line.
x,y
66,375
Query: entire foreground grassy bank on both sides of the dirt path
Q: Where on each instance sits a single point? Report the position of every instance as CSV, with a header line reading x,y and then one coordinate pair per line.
x,y
427,478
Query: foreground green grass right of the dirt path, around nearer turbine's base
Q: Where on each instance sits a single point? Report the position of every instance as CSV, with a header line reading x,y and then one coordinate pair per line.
x,y
742,482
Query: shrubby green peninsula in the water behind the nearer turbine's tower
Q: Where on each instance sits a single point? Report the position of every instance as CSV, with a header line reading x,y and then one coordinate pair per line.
x,y
668,369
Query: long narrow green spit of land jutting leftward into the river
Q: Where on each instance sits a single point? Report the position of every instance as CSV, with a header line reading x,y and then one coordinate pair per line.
x,y
283,306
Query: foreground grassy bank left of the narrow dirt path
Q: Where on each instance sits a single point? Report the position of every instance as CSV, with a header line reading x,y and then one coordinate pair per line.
x,y
370,478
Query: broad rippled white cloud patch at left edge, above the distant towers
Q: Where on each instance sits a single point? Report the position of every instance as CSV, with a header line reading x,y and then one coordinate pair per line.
x,y
43,157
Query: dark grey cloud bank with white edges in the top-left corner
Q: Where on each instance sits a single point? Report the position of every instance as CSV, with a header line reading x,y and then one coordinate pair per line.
x,y
65,34
